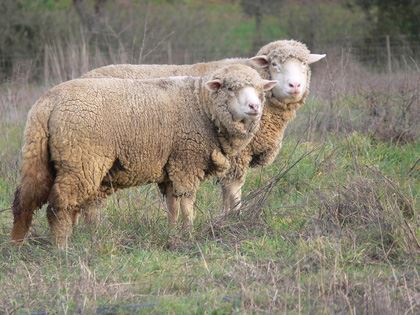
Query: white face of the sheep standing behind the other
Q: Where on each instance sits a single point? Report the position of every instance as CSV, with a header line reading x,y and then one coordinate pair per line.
x,y
292,76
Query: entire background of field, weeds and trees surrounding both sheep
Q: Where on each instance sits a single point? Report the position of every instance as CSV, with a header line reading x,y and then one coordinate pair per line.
x,y
331,227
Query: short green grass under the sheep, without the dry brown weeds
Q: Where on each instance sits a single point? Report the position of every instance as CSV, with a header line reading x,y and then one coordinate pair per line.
x,y
282,263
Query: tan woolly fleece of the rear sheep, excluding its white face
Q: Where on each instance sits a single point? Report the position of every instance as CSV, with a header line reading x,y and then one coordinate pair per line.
x,y
264,147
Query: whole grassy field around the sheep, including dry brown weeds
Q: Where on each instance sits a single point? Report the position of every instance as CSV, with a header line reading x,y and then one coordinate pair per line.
x,y
331,227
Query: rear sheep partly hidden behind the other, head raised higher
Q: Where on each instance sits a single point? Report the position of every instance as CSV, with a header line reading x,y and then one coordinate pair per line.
x,y
286,61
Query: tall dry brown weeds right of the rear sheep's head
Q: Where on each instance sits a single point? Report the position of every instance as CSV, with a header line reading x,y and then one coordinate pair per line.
x,y
352,98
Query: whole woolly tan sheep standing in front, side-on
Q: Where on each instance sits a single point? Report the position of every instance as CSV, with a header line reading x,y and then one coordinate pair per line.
x,y
86,138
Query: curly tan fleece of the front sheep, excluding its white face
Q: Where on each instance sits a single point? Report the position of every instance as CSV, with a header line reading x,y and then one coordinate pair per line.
x,y
111,133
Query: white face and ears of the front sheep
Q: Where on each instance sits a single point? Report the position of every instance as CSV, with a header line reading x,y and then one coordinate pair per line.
x,y
244,103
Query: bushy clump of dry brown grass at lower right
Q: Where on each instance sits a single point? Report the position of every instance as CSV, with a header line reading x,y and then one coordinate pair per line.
x,y
370,212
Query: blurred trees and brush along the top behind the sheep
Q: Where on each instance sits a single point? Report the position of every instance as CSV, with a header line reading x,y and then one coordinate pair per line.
x,y
192,30
